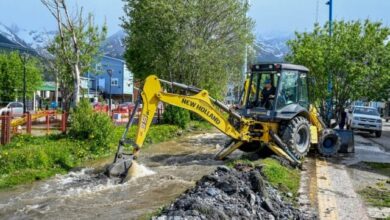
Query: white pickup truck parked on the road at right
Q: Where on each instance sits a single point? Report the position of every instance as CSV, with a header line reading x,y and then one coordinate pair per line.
x,y
365,119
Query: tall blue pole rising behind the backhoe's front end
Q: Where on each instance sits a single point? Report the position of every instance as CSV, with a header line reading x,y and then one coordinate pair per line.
x,y
330,86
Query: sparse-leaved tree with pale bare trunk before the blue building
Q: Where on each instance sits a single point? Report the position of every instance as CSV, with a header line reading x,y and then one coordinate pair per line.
x,y
74,48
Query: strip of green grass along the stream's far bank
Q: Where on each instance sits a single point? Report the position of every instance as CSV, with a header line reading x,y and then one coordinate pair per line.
x,y
27,158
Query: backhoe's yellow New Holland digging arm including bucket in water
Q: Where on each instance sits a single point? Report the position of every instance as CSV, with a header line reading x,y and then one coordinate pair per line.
x,y
200,103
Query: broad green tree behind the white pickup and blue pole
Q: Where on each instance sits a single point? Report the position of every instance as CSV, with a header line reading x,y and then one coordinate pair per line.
x,y
357,56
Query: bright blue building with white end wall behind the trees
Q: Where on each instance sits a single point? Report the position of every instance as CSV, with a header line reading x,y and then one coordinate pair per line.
x,y
110,76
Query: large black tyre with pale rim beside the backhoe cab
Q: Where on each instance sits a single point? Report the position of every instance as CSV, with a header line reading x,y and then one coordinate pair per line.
x,y
297,136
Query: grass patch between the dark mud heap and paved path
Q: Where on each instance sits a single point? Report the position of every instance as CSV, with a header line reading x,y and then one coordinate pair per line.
x,y
284,178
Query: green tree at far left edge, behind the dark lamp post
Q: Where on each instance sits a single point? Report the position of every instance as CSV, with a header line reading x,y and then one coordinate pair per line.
x,y
11,76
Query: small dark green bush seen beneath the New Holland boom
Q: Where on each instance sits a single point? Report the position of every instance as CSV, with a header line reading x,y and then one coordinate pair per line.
x,y
176,116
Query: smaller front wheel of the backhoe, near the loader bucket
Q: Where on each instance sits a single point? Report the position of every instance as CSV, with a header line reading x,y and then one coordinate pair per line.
x,y
329,143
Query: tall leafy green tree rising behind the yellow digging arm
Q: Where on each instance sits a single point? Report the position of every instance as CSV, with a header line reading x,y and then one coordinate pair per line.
x,y
198,42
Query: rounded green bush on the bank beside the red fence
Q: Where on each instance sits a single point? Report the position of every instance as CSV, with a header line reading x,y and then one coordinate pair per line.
x,y
95,127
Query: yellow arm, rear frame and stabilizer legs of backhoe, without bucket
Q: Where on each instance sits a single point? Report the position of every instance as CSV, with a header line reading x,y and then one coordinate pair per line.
x,y
202,105
